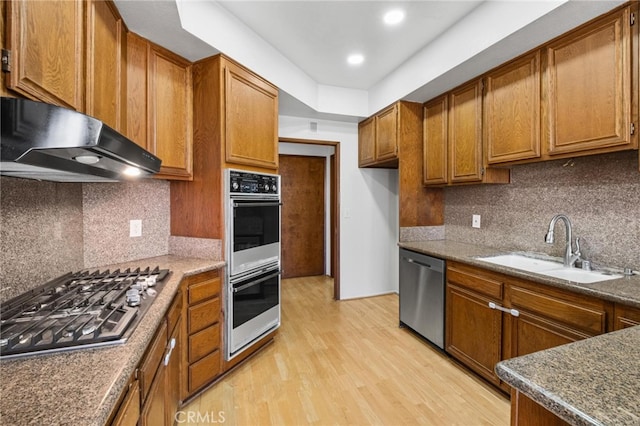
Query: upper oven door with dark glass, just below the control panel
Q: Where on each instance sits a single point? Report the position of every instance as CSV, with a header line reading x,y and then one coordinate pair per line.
x,y
255,234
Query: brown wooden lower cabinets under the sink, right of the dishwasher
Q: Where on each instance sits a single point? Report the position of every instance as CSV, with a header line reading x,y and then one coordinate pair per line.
x,y
491,317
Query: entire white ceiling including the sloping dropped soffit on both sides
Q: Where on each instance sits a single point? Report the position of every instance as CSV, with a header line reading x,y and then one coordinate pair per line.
x,y
310,39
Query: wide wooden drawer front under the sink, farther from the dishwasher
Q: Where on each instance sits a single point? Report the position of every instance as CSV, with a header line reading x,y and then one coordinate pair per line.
x,y
584,317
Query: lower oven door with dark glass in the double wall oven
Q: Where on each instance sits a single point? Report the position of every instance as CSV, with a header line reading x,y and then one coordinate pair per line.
x,y
255,307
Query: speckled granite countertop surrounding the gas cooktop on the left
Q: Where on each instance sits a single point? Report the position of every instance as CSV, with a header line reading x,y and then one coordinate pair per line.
x,y
81,387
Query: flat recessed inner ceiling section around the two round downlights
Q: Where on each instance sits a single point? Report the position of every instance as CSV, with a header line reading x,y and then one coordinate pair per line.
x,y
318,36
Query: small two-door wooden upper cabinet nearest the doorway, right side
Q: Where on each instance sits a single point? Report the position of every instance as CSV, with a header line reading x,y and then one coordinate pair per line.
x,y
378,139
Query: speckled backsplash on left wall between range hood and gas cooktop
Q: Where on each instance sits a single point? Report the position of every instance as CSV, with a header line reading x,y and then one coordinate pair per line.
x,y
41,233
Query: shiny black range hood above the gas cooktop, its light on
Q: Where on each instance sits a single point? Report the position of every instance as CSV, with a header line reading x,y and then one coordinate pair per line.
x,y
47,142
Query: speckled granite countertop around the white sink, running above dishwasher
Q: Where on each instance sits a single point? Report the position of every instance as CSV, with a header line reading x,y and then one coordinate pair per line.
x,y
624,290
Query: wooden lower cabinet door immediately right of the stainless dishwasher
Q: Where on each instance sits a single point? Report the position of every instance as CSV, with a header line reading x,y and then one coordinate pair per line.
x,y
474,331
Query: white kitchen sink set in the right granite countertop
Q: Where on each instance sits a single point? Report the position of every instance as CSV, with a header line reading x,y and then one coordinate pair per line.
x,y
549,268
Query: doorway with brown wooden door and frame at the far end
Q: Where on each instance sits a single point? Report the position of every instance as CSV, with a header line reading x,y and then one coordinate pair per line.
x,y
311,168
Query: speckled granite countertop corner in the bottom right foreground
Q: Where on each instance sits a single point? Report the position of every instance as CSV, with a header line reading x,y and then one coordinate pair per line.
x,y
594,381
